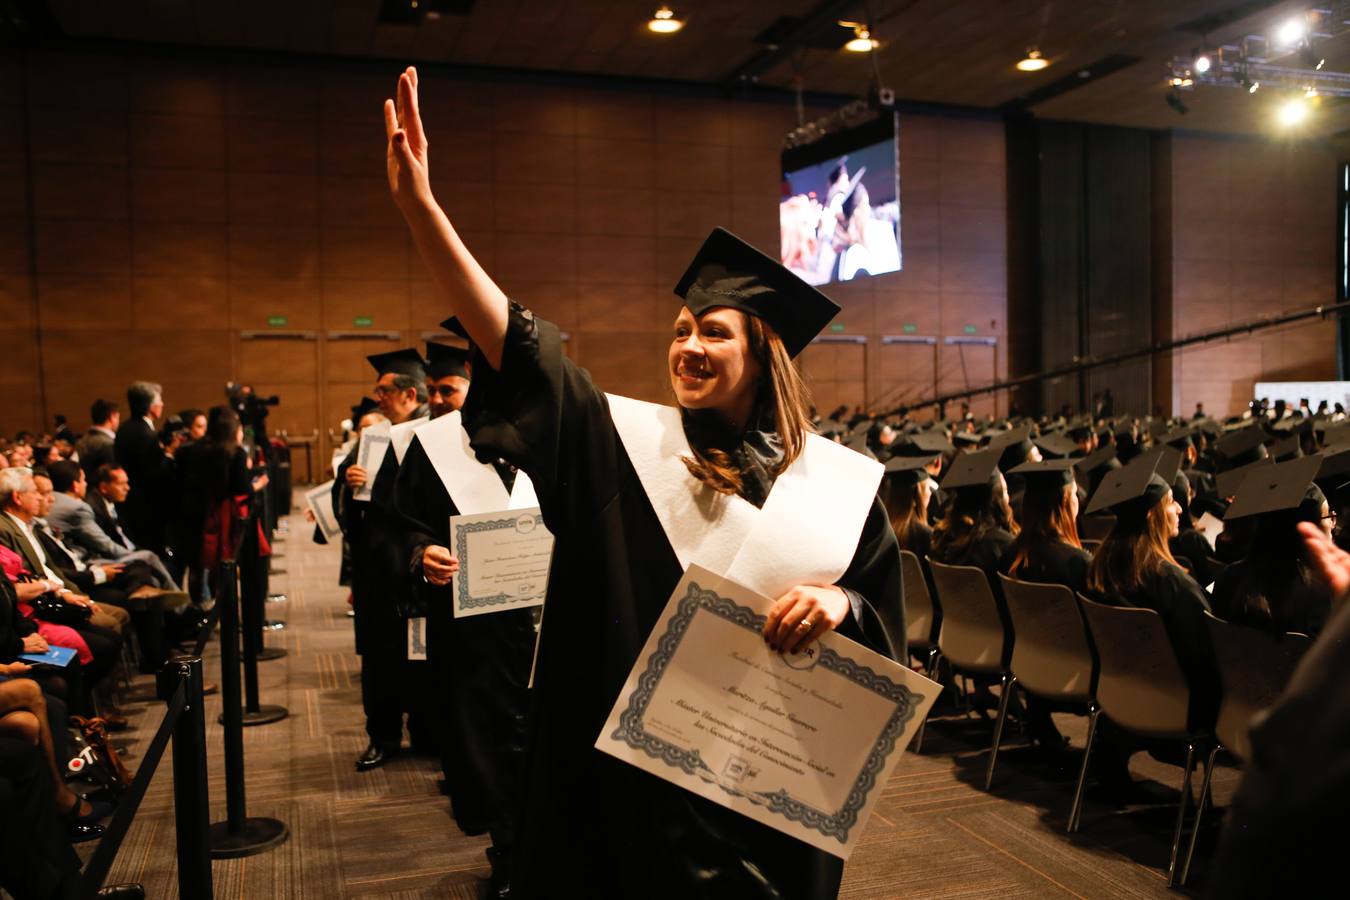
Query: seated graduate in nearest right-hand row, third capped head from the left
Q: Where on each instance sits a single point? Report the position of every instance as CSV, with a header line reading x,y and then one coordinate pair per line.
x,y
1047,550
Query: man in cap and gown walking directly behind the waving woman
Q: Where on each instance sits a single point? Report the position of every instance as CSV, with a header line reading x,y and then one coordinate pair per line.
x,y
477,696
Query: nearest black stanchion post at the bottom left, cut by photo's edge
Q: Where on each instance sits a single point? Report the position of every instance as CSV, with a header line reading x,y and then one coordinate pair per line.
x,y
192,809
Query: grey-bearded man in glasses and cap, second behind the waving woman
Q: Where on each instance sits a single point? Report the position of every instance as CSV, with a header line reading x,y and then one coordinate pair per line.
x,y
379,573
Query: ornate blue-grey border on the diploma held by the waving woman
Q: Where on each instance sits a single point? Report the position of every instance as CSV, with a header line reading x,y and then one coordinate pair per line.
x,y
835,825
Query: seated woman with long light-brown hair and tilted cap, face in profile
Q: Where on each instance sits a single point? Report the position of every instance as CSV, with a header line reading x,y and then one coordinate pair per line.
x,y
1135,567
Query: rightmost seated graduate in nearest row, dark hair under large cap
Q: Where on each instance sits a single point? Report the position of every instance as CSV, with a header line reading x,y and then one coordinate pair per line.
x,y
1274,588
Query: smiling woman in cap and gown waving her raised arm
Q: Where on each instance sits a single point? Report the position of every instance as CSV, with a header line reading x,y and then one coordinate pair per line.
x,y
614,477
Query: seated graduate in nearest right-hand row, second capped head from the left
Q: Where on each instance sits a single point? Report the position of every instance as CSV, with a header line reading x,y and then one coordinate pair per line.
x,y
978,528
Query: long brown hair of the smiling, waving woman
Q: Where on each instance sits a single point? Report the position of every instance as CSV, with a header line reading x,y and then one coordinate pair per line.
x,y
782,396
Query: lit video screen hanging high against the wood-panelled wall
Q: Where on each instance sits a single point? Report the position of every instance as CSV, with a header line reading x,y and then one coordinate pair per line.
x,y
840,211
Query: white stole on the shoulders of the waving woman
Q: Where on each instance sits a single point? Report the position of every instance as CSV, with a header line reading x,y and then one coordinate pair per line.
x,y
807,532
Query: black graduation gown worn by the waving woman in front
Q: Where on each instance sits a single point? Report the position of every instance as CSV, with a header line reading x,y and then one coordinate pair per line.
x,y
593,826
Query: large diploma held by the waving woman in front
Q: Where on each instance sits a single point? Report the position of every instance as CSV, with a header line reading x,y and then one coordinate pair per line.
x,y
801,743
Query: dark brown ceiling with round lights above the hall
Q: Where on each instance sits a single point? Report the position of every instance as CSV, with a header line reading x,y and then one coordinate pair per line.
x,y
934,51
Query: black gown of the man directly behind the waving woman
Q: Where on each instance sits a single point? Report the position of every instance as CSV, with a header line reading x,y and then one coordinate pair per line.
x,y
480,666
